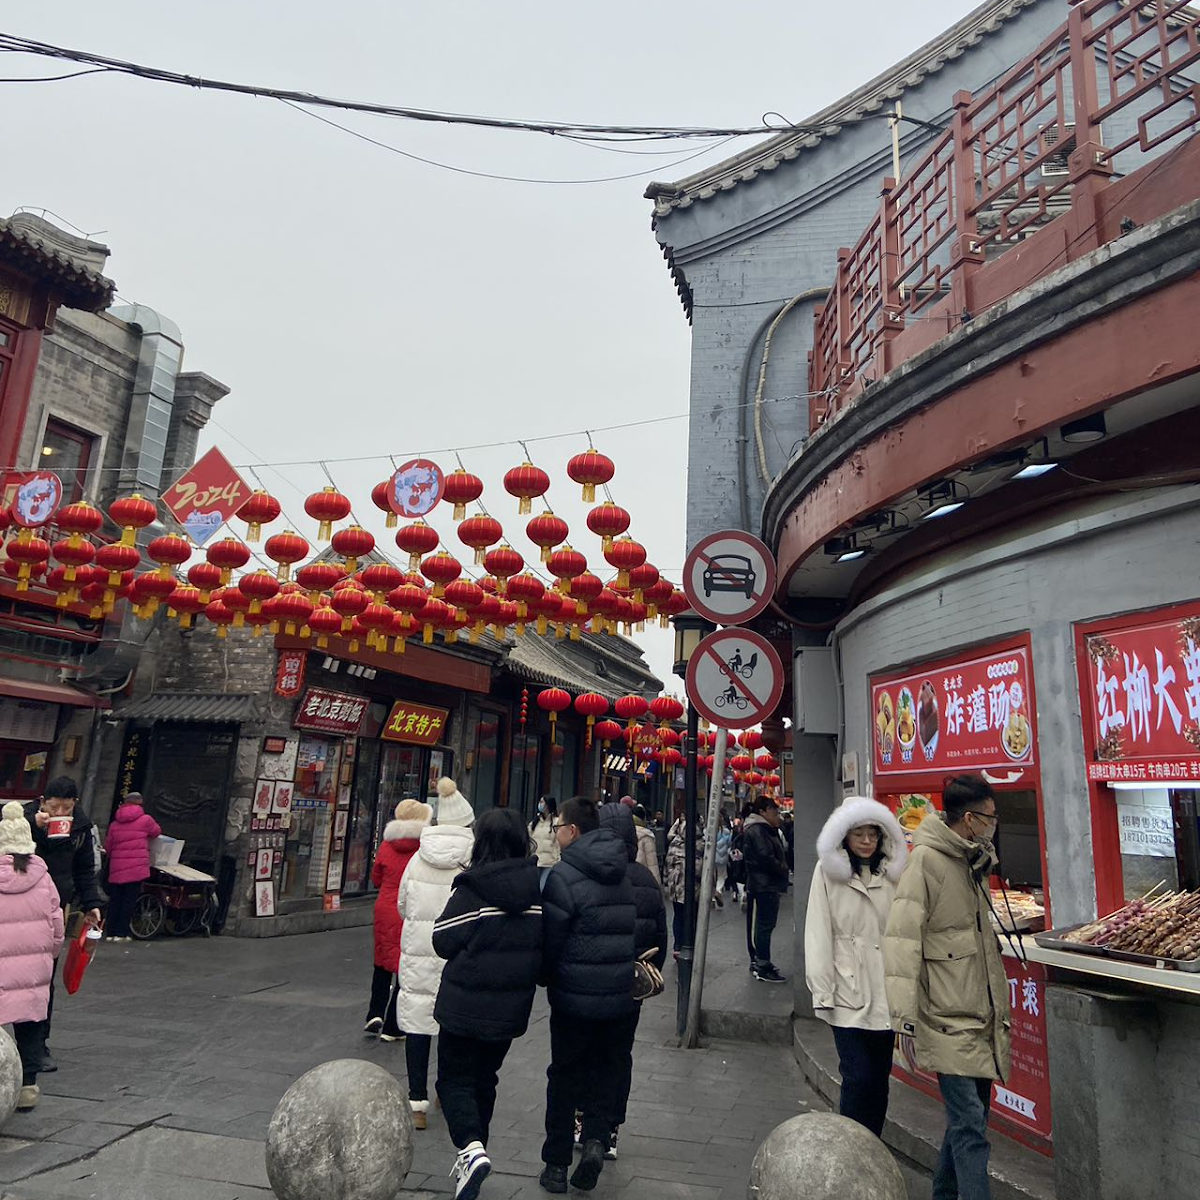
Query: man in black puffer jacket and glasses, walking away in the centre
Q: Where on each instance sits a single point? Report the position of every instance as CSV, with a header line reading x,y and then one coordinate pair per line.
x,y
590,917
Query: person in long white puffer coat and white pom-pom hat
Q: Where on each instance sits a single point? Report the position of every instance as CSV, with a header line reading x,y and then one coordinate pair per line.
x,y
424,891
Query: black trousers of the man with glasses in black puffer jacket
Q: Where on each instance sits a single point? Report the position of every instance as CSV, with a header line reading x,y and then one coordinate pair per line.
x,y
585,1075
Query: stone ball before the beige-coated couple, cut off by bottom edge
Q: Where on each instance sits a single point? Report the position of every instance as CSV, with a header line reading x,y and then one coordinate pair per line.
x,y
821,1156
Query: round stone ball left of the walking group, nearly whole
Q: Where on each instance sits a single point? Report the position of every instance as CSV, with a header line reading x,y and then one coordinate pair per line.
x,y
344,1131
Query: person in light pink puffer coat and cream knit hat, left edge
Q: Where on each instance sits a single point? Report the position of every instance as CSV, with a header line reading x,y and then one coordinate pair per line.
x,y
31,939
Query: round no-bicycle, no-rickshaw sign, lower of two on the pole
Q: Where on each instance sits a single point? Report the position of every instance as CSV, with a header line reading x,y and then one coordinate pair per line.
x,y
735,679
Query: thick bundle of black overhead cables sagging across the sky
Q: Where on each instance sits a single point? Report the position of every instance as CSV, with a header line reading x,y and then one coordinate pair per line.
x,y
15,44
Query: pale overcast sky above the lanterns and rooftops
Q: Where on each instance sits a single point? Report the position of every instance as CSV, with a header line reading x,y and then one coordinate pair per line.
x,y
361,303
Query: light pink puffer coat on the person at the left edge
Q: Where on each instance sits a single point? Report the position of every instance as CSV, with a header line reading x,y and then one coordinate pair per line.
x,y
31,939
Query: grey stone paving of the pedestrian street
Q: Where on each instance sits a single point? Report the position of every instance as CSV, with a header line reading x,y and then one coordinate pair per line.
x,y
176,1053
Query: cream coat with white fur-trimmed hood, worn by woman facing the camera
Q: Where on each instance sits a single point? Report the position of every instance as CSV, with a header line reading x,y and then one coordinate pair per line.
x,y
847,920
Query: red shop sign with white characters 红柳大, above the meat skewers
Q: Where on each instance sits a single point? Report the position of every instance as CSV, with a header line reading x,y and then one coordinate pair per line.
x,y
1144,703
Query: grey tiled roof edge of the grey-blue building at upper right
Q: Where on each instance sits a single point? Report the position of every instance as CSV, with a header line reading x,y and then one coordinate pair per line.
x,y
868,99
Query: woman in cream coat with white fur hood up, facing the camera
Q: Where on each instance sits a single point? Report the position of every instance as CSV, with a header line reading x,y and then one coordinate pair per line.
x,y
861,854
